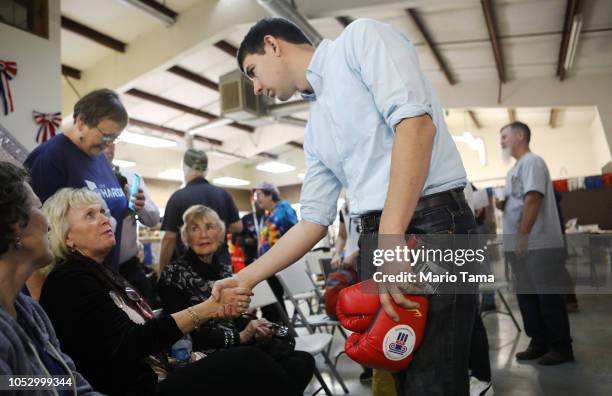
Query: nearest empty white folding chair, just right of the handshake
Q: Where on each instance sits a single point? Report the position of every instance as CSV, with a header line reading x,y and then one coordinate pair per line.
x,y
314,344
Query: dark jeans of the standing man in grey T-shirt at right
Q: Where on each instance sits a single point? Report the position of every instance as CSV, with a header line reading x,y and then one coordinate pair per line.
x,y
538,274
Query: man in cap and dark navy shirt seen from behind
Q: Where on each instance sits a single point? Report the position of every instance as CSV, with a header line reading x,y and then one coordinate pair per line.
x,y
197,191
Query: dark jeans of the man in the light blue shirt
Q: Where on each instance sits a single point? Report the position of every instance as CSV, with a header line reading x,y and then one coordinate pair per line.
x,y
440,366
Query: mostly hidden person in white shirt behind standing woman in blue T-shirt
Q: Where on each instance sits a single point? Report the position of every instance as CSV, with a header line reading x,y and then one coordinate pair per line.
x,y
129,265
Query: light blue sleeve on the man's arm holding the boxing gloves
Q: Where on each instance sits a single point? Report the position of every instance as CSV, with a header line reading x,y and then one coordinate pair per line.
x,y
389,66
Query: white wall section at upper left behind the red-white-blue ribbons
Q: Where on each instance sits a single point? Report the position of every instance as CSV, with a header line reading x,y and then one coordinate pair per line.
x,y
37,85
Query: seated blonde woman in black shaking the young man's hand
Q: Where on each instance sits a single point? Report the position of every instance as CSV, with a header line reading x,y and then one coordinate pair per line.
x,y
111,333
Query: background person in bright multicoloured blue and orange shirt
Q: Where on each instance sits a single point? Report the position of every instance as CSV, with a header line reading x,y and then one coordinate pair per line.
x,y
280,217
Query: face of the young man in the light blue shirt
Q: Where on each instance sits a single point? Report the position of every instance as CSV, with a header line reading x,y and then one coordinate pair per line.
x,y
268,71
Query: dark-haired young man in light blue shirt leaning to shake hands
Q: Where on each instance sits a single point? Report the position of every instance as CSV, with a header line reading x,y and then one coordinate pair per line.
x,y
375,127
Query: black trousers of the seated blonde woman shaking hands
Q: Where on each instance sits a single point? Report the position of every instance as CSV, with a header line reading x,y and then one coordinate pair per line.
x,y
240,371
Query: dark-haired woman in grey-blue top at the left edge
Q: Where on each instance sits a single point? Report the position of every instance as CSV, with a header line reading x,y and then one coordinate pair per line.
x,y
28,345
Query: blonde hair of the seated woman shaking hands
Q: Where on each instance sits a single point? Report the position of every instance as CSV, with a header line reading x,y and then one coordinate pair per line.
x,y
56,209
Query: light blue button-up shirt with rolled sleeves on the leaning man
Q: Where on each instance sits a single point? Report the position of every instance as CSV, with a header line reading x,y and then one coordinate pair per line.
x,y
364,83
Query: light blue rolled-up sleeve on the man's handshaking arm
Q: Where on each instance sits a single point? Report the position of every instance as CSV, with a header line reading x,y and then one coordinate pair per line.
x,y
320,192
